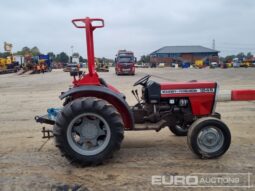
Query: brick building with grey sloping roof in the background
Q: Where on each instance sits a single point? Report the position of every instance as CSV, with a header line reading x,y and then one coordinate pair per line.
x,y
181,54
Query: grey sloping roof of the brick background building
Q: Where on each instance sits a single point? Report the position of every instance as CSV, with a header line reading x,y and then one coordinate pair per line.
x,y
184,49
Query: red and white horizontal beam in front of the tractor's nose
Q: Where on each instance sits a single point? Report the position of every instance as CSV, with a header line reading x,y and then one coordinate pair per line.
x,y
236,95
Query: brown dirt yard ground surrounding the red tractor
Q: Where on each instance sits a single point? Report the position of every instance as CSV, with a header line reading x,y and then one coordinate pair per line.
x,y
27,164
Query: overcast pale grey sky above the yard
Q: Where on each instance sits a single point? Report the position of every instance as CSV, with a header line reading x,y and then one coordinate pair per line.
x,y
139,25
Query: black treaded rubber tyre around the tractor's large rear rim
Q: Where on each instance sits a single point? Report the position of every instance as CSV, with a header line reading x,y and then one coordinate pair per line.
x,y
73,108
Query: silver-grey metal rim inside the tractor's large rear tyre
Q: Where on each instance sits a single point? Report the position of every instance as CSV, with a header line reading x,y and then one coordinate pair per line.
x,y
88,134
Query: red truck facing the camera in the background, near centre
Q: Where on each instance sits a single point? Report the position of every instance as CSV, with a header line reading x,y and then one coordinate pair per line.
x,y
125,62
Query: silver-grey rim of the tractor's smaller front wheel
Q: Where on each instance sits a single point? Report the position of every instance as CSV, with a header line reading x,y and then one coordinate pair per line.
x,y
210,139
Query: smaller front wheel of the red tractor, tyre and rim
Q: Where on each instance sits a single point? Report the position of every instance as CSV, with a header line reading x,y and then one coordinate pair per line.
x,y
209,138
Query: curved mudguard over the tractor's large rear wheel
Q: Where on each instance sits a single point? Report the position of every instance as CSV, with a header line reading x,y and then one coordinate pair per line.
x,y
102,92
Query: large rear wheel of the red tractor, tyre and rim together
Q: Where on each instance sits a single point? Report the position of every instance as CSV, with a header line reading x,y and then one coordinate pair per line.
x,y
88,131
